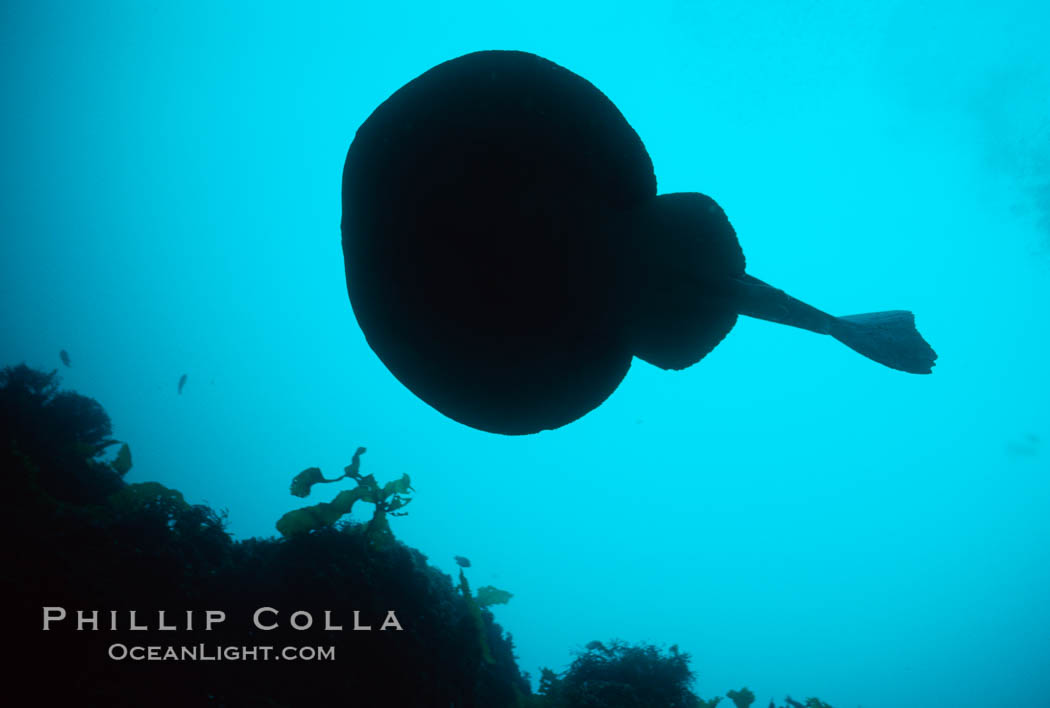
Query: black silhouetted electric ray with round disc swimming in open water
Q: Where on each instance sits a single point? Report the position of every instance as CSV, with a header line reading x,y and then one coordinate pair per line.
x,y
508,255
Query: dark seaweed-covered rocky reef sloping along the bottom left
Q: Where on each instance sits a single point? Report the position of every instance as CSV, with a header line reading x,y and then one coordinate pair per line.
x,y
128,595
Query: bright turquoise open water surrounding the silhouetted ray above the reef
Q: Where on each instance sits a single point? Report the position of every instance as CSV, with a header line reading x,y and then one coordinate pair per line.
x,y
796,518
